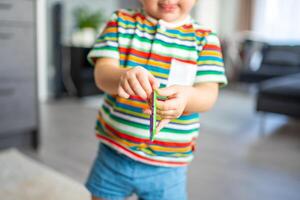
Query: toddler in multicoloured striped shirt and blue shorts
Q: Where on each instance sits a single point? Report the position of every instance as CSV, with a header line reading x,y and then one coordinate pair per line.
x,y
159,47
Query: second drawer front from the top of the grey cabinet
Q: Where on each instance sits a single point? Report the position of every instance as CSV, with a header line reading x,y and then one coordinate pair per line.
x,y
17,51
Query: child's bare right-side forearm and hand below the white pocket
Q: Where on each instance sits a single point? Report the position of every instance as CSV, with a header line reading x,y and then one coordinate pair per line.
x,y
199,98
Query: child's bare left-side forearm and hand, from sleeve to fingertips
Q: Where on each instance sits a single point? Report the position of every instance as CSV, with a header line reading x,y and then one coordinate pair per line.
x,y
114,80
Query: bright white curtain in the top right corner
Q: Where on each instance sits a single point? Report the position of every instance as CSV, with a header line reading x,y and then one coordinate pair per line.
x,y
277,20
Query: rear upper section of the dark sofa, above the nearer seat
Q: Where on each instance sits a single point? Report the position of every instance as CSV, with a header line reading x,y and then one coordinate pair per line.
x,y
263,61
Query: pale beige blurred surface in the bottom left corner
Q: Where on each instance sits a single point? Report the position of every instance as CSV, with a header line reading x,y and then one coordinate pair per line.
x,y
22,178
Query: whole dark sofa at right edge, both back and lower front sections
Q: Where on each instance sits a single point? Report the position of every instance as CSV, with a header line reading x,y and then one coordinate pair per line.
x,y
275,69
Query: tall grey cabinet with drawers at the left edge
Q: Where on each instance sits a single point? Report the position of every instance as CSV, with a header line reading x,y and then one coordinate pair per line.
x,y
18,85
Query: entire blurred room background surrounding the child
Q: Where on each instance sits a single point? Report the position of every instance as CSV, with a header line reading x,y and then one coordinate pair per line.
x,y
249,143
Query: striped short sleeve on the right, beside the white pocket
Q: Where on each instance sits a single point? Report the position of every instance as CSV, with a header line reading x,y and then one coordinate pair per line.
x,y
210,65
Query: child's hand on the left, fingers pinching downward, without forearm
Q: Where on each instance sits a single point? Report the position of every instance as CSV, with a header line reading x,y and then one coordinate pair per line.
x,y
137,81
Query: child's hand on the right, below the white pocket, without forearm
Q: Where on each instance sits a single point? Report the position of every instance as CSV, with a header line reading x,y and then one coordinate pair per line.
x,y
174,106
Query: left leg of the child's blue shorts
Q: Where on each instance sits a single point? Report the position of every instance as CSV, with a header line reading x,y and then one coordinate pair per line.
x,y
108,178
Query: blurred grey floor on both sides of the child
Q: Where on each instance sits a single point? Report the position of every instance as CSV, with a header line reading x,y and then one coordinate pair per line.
x,y
238,156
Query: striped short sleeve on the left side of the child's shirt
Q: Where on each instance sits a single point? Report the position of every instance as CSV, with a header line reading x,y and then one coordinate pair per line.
x,y
106,44
